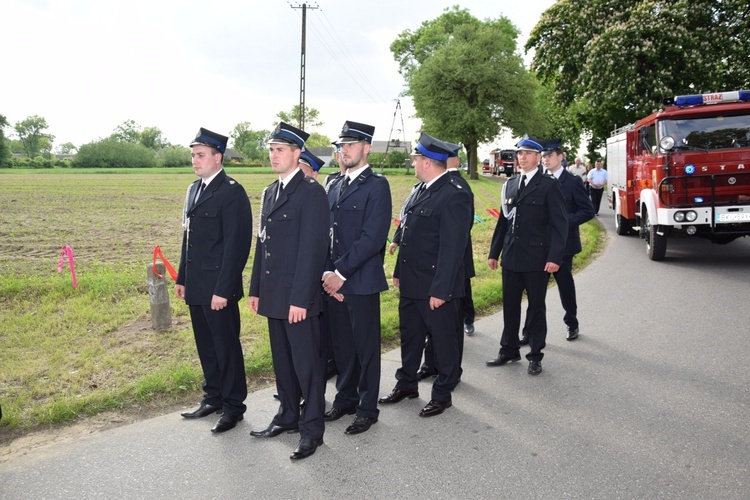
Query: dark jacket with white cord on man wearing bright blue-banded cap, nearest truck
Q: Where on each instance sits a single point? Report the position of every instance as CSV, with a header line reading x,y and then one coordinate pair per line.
x,y
539,230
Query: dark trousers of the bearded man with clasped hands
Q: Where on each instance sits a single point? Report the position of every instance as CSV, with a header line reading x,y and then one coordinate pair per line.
x,y
355,331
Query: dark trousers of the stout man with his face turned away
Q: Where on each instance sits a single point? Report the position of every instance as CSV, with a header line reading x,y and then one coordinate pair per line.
x,y
442,326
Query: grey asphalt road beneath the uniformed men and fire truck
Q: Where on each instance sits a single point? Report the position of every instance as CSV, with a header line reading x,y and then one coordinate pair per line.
x,y
651,402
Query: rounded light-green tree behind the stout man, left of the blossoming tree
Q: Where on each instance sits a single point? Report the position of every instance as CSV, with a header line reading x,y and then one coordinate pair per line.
x,y
467,79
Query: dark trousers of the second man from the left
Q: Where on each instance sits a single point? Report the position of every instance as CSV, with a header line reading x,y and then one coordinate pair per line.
x,y
297,352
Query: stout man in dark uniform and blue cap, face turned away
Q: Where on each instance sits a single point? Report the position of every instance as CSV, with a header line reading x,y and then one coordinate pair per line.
x,y
430,275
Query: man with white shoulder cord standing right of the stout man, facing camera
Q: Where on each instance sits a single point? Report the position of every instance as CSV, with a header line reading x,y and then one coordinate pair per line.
x,y
531,234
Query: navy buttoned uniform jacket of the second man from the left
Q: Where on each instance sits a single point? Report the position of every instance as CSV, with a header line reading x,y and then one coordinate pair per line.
x,y
292,246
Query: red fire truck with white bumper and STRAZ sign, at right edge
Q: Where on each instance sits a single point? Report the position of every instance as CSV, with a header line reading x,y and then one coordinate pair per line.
x,y
683,170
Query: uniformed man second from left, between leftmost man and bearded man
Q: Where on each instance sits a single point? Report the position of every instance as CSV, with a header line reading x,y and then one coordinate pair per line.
x,y
285,288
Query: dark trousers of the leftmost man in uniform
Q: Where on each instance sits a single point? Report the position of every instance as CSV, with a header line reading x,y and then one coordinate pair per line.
x,y
217,337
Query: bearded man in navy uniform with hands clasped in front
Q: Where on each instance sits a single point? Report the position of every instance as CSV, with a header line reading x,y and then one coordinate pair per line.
x,y
360,216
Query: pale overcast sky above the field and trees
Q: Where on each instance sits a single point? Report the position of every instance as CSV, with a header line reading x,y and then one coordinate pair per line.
x,y
87,66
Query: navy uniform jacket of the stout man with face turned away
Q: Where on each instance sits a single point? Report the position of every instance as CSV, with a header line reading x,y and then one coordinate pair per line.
x,y
433,243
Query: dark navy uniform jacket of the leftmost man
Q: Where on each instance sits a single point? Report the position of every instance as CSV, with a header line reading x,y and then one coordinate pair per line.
x,y
216,242
